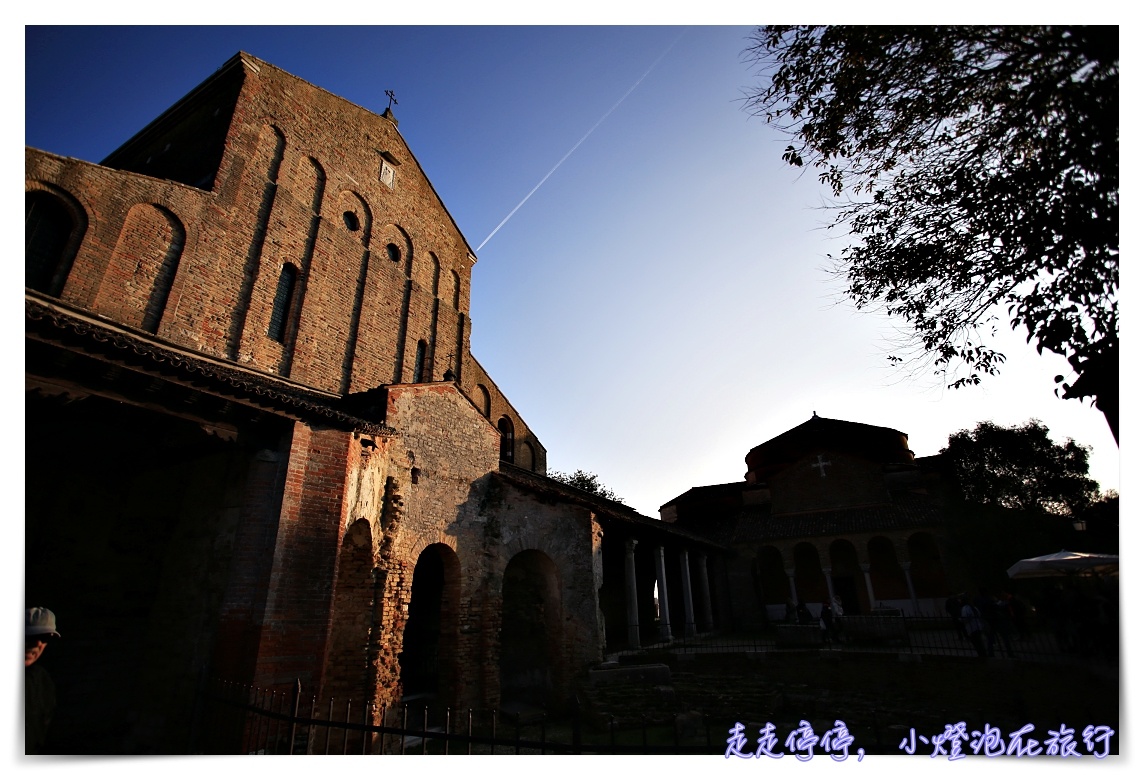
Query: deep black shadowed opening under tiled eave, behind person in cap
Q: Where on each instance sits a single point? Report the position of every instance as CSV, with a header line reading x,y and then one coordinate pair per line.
x,y
138,560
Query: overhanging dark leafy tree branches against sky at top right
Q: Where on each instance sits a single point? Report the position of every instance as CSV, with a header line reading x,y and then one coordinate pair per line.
x,y
978,170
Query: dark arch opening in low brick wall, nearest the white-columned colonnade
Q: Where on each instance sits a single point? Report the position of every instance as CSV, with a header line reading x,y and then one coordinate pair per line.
x,y
530,649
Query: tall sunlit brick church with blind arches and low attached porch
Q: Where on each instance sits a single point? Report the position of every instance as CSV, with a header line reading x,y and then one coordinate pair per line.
x,y
259,449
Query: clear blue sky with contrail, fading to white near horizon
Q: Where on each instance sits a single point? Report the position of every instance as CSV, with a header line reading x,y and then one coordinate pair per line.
x,y
658,307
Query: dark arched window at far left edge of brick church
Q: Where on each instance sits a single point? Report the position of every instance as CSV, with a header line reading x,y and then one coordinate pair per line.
x,y
49,249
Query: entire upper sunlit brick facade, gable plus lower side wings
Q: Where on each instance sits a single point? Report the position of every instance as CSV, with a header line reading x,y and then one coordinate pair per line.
x,y
380,269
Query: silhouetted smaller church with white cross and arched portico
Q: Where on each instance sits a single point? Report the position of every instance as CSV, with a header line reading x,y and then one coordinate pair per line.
x,y
828,510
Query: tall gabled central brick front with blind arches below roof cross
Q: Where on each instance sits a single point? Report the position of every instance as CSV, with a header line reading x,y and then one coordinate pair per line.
x,y
331,169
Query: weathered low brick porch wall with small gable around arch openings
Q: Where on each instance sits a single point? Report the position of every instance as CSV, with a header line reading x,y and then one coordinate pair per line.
x,y
435,484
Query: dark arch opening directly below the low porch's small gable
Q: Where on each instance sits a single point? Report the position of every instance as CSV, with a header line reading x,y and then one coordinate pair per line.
x,y
428,657
